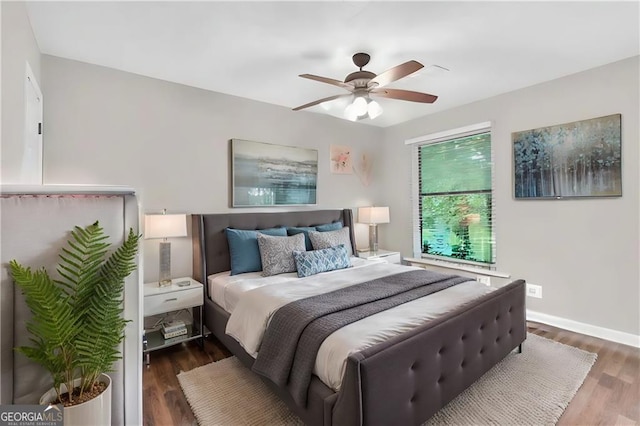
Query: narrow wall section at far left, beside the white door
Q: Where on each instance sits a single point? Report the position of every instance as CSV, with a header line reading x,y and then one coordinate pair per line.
x,y
18,47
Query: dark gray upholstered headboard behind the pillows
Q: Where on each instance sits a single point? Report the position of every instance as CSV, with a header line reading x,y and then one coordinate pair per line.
x,y
210,247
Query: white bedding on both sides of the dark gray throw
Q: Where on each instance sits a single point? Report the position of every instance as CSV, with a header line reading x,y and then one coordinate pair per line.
x,y
252,299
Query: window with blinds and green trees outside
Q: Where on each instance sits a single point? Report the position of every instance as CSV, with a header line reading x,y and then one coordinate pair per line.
x,y
454,203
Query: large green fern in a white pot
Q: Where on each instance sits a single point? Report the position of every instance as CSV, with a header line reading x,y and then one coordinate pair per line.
x,y
77,323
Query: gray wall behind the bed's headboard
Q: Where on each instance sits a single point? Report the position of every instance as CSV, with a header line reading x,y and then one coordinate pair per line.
x,y
170,143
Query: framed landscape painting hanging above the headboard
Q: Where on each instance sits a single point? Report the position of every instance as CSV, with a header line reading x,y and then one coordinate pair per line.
x,y
264,174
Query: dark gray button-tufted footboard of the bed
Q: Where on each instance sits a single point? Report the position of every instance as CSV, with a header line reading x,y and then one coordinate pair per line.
x,y
407,379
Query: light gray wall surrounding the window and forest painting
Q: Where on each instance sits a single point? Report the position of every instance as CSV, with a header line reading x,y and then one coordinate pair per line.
x,y
583,252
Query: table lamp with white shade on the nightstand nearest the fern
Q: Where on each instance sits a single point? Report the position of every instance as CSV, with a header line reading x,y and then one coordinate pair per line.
x,y
165,226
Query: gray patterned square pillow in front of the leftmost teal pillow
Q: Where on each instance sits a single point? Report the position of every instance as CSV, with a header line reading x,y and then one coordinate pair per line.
x,y
276,253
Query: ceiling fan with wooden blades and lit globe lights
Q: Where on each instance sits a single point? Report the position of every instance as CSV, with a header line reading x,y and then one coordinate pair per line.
x,y
365,84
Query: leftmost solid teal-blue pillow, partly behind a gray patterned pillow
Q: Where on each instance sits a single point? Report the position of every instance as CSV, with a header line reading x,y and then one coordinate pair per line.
x,y
243,248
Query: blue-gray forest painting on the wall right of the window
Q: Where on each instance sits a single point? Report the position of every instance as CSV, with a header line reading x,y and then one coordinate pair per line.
x,y
579,159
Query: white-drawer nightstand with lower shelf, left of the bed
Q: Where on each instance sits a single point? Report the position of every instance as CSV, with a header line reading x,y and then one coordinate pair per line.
x,y
166,300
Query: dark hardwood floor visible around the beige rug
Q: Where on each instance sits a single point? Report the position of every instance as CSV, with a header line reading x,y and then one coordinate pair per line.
x,y
610,395
